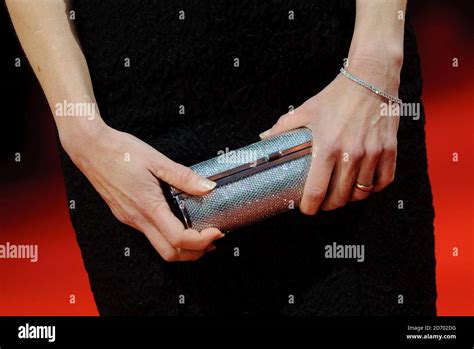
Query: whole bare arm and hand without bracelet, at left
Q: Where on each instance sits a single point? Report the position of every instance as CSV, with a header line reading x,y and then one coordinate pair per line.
x,y
123,169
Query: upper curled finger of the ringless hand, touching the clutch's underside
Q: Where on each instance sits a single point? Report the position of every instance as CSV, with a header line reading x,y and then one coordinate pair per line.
x,y
173,230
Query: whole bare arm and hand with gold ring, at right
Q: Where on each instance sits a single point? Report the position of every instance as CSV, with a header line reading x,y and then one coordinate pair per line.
x,y
352,141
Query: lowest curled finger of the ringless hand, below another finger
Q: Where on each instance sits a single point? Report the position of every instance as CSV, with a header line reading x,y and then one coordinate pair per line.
x,y
166,251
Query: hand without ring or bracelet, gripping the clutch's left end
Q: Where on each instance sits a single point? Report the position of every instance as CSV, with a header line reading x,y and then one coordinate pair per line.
x,y
125,171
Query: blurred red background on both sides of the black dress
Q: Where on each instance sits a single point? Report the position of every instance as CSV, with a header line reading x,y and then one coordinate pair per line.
x,y
34,206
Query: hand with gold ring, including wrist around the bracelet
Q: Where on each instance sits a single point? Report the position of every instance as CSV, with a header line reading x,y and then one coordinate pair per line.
x,y
352,141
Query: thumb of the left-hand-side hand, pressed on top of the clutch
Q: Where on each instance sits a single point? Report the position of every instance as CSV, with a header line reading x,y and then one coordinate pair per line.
x,y
181,177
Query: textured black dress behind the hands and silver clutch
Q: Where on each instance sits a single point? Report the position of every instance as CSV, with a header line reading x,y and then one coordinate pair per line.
x,y
183,53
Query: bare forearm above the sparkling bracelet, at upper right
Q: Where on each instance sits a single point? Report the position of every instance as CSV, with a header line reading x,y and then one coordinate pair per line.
x,y
376,50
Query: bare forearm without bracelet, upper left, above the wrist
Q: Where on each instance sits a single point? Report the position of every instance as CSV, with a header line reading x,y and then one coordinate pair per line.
x,y
48,39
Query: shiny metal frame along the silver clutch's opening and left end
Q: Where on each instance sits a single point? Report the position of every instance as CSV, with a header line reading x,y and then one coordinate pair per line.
x,y
176,197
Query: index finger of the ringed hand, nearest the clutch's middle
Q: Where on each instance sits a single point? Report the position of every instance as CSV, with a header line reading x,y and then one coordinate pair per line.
x,y
317,183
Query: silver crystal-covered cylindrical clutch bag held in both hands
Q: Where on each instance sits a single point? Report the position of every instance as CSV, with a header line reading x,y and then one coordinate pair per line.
x,y
253,183
